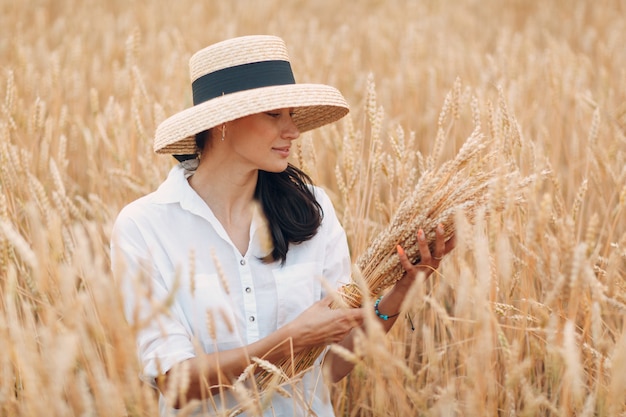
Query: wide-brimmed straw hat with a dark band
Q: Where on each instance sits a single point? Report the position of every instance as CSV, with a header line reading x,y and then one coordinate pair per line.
x,y
243,76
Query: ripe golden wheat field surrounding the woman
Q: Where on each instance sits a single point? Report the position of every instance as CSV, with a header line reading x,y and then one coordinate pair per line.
x,y
524,318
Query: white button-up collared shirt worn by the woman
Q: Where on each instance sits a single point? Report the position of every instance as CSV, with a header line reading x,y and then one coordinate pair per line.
x,y
221,298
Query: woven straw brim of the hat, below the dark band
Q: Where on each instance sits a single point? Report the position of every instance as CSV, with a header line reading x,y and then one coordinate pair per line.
x,y
314,105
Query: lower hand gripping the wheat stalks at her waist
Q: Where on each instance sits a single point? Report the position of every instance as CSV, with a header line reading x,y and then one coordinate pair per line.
x,y
321,325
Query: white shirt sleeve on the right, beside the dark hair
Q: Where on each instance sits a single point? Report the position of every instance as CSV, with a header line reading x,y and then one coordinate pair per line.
x,y
337,264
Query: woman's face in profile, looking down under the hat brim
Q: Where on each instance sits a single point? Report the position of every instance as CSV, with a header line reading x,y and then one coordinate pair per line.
x,y
262,140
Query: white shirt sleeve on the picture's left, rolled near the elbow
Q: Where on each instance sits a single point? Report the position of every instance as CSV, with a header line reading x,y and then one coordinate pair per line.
x,y
162,338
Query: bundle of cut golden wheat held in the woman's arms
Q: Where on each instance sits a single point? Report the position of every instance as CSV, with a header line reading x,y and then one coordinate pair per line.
x,y
460,184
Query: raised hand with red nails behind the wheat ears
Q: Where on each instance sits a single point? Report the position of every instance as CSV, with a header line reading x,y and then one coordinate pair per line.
x,y
429,262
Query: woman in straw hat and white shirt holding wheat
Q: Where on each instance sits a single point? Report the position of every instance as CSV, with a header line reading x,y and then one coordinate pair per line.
x,y
230,258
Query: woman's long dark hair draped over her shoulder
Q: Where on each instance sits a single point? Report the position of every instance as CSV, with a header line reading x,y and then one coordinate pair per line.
x,y
289,205
